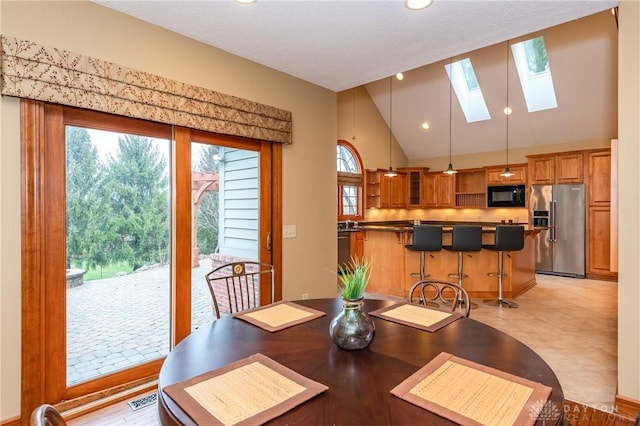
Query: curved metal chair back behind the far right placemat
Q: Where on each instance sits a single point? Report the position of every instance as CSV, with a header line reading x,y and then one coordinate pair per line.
x,y
441,291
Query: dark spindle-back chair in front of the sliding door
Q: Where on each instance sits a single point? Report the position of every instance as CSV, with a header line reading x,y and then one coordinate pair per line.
x,y
235,286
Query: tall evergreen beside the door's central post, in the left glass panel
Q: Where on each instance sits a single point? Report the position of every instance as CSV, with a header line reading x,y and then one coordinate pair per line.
x,y
137,188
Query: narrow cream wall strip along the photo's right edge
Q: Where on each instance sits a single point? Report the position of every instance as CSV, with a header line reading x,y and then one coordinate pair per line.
x,y
629,201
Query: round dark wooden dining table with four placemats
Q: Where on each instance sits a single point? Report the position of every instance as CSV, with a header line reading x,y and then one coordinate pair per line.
x,y
359,381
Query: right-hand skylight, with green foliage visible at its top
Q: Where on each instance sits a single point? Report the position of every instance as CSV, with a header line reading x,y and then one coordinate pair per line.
x,y
534,71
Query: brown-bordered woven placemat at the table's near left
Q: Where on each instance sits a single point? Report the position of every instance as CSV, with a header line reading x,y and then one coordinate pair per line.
x,y
251,391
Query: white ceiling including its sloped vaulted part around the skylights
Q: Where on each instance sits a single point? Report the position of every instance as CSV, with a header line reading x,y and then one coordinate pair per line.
x,y
344,44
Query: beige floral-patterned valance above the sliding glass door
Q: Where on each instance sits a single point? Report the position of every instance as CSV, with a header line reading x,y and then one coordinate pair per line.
x,y
29,70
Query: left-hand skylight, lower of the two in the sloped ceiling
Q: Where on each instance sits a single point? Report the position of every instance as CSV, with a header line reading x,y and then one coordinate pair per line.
x,y
467,89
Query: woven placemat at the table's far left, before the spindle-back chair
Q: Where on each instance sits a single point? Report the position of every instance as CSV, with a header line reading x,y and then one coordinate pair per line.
x,y
278,316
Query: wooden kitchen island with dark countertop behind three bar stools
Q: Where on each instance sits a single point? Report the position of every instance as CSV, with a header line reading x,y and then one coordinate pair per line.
x,y
384,243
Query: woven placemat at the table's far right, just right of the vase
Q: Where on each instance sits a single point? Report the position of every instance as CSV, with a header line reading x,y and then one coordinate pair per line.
x,y
417,316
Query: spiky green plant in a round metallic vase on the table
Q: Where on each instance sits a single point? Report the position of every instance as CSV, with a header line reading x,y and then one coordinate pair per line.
x,y
353,328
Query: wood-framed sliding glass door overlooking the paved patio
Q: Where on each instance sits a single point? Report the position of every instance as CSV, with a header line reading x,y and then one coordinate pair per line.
x,y
123,218
